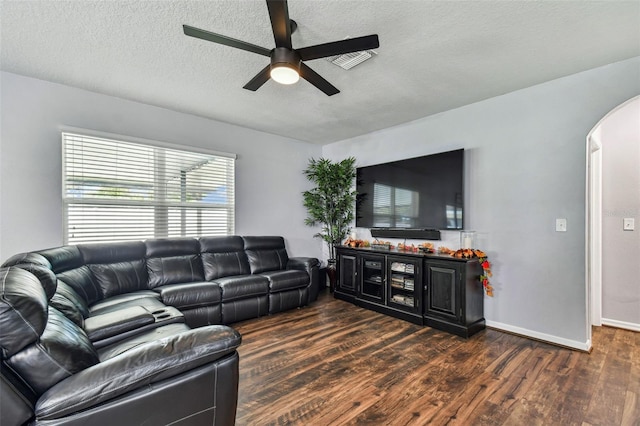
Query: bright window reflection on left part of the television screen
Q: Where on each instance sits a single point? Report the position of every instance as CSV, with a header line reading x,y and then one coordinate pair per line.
x,y
394,207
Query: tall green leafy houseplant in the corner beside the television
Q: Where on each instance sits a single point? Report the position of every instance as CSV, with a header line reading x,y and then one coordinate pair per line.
x,y
331,203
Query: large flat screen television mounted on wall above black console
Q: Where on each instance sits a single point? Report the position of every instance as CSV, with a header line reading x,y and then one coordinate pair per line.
x,y
416,193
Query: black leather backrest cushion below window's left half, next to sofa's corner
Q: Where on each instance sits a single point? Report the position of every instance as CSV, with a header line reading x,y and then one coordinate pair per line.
x,y
117,268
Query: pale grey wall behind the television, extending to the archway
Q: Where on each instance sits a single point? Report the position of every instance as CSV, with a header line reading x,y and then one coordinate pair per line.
x,y
525,167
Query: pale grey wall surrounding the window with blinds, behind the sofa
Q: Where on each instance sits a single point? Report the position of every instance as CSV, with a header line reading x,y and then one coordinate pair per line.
x,y
269,179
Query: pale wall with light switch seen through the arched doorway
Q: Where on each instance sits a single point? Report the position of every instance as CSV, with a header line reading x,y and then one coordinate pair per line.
x,y
620,136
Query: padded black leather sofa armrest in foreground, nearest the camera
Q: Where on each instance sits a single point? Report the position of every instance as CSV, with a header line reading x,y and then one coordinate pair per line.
x,y
146,364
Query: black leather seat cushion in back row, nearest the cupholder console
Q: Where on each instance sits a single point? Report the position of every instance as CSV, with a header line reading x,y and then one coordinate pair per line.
x,y
190,295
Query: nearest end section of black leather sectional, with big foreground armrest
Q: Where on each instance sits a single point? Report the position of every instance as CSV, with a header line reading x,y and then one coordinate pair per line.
x,y
53,375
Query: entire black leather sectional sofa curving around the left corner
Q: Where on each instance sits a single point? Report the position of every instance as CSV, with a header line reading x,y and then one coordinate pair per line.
x,y
137,333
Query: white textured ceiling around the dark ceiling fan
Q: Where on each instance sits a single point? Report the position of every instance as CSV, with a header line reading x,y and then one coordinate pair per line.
x,y
433,55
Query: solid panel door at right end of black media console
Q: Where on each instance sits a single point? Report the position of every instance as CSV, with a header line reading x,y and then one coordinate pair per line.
x,y
442,292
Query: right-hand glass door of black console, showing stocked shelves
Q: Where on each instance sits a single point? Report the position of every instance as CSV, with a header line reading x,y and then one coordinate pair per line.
x,y
403,283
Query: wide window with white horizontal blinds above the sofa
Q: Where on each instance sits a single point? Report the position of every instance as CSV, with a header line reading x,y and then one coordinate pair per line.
x,y
118,190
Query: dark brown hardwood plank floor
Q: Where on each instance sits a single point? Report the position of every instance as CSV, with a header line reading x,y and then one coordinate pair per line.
x,y
333,363
